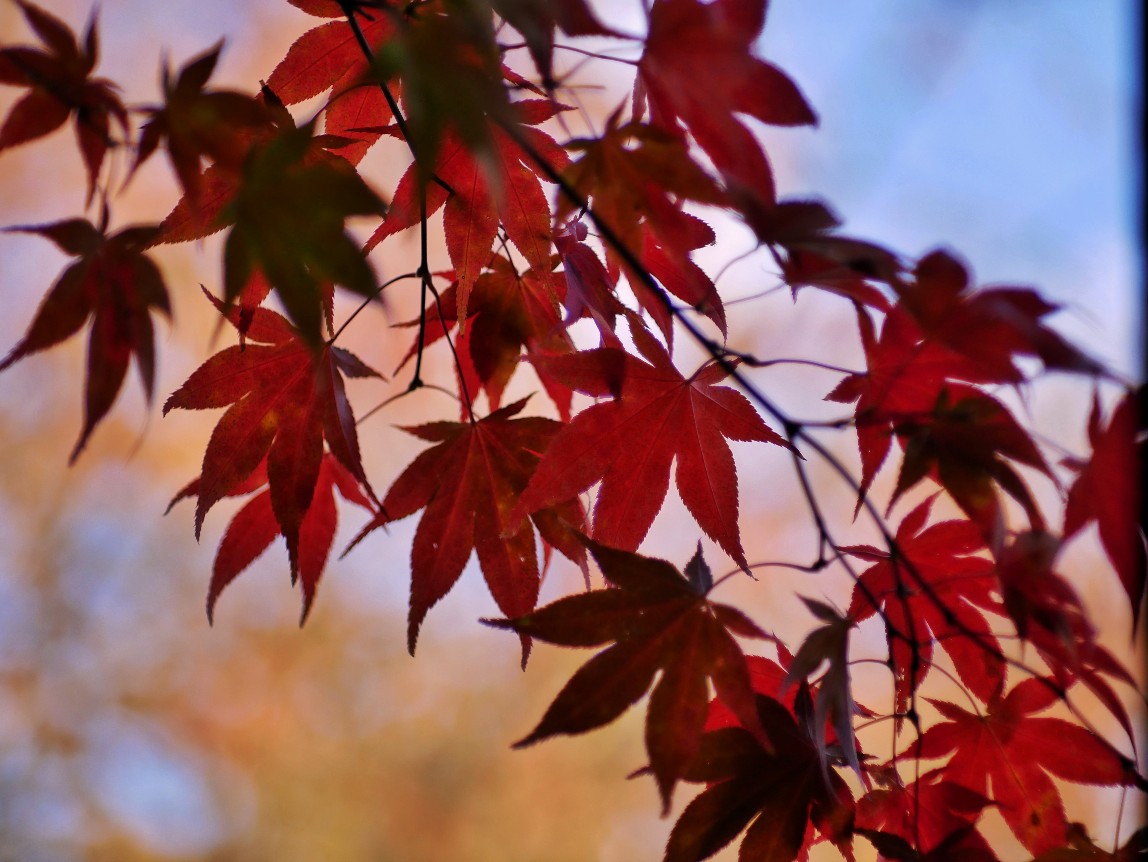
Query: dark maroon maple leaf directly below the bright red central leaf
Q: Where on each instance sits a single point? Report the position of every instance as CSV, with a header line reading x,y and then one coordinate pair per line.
x,y
658,620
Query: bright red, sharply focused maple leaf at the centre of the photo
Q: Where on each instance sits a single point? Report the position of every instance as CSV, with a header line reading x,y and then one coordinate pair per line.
x,y
631,442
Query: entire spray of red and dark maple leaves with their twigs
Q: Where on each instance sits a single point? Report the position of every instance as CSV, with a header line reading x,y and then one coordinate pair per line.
x,y
570,262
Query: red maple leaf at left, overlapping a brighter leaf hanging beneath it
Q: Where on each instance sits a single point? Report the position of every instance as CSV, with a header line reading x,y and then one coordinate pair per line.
x,y
285,399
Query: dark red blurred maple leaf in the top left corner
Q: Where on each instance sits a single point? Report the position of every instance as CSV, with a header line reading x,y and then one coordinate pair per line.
x,y
60,86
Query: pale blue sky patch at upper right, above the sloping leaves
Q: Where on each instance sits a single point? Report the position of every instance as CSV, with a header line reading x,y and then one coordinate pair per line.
x,y
1007,130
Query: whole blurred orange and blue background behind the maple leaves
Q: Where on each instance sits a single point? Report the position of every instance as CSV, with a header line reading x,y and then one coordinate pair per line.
x,y
130,731
